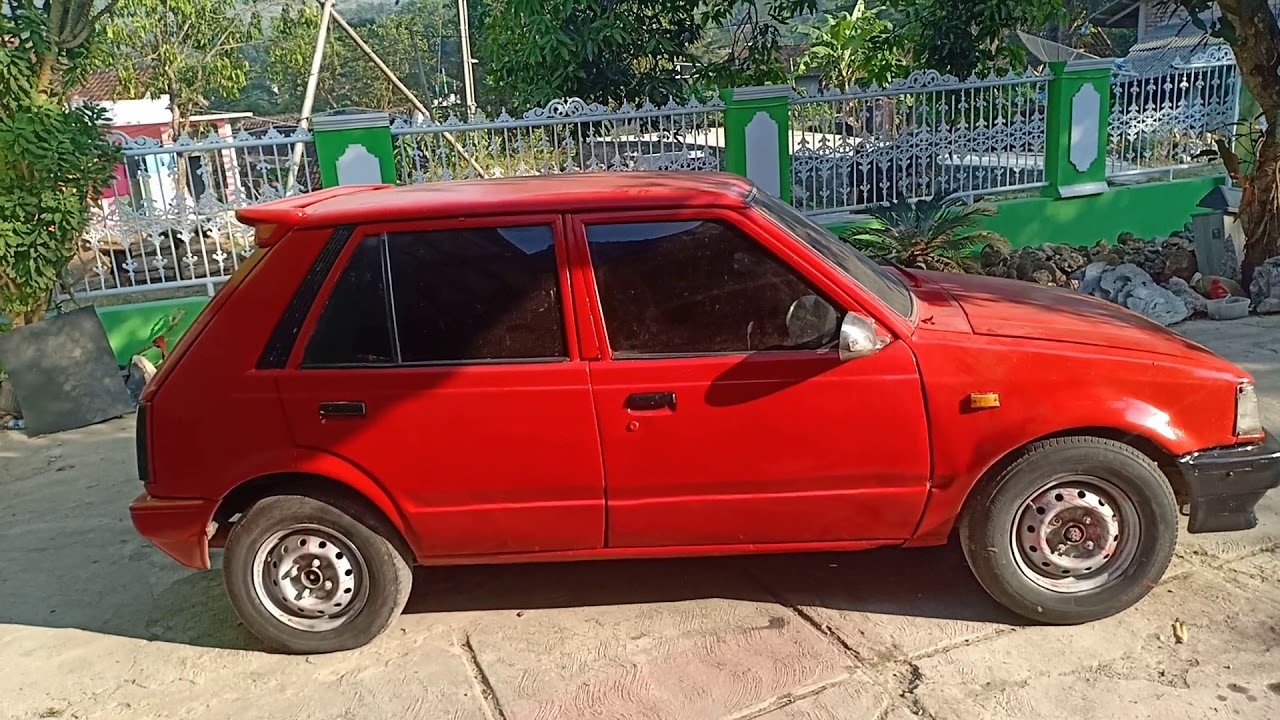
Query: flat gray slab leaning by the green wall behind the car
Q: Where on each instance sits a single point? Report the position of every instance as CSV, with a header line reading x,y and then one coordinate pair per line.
x,y
65,371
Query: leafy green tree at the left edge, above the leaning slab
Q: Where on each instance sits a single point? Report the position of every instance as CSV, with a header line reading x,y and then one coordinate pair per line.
x,y
53,160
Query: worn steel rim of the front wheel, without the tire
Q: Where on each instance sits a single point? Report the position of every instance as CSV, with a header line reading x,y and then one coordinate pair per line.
x,y
1076,535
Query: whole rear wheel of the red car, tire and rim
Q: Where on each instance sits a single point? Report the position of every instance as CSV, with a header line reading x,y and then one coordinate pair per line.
x,y
309,578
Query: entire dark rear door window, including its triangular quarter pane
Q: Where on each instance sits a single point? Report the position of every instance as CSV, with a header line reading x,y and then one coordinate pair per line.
x,y
454,297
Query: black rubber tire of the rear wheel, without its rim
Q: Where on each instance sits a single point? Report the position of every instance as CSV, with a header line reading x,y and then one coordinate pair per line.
x,y
387,576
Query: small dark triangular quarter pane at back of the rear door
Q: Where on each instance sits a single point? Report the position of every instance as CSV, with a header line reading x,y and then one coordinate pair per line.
x,y
353,329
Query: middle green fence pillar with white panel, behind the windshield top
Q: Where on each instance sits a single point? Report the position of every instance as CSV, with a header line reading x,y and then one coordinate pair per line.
x,y
758,136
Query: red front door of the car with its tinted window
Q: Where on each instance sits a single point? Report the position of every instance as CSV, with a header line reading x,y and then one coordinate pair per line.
x,y
719,429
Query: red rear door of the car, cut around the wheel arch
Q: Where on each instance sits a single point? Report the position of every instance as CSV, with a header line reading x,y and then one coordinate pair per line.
x,y
437,362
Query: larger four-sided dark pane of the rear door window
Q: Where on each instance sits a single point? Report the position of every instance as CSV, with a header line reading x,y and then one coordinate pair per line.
x,y
483,294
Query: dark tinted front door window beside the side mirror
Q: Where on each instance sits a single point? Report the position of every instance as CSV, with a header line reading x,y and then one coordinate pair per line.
x,y
692,288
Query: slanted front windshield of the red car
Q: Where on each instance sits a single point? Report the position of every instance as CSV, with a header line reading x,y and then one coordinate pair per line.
x,y
866,272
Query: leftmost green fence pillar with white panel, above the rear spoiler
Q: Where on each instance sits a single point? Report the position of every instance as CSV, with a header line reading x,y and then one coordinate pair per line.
x,y
354,149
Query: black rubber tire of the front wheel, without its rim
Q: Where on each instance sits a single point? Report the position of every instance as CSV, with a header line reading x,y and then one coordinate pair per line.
x,y
988,531
